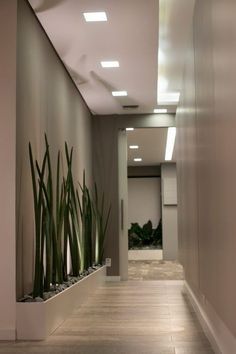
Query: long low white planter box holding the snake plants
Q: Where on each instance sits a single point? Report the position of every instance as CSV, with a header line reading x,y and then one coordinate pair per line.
x,y
36,321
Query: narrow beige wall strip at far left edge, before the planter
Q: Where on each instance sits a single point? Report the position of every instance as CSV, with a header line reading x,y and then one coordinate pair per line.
x,y
8,14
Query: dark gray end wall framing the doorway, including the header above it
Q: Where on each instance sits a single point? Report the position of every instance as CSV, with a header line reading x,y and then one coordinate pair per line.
x,y
105,157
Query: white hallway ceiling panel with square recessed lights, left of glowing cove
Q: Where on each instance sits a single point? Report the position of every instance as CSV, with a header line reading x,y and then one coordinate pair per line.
x,y
130,36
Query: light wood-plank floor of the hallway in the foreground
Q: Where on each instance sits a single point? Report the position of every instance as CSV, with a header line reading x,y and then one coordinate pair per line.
x,y
135,317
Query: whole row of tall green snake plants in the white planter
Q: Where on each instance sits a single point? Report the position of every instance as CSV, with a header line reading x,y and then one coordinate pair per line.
x,y
64,219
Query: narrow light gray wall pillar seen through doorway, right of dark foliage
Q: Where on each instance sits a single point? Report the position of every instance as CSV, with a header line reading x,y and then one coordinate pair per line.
x,y
169,214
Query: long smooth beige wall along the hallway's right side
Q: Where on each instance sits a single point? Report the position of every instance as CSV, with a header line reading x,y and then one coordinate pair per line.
x,y
206,127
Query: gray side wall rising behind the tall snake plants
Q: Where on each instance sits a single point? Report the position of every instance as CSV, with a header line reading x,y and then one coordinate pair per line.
x,y
47,101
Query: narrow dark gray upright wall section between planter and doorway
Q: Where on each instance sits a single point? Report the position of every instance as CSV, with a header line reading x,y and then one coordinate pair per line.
x,y
105,157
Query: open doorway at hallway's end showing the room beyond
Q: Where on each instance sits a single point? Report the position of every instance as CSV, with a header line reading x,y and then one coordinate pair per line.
x,y
145,156
